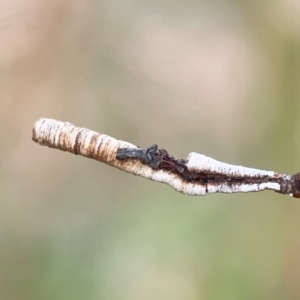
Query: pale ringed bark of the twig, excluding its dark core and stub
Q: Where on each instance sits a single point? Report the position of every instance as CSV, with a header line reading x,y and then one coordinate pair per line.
x,y
101,147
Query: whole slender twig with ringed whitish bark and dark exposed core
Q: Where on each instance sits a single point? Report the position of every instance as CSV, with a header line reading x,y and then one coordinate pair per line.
x,y
197,175
